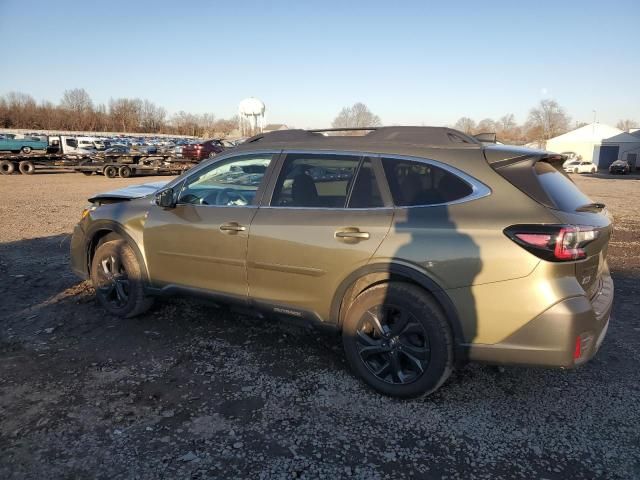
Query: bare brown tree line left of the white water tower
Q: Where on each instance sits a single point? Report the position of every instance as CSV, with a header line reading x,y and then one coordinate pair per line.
x,y
77,112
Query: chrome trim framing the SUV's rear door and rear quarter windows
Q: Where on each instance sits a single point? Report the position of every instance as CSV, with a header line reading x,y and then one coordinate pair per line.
x,y
478,189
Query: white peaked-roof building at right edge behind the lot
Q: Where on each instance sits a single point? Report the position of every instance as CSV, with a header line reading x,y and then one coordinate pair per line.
x,y
600,144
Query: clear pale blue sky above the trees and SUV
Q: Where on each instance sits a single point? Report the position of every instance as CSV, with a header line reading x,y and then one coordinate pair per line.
x,y
410,62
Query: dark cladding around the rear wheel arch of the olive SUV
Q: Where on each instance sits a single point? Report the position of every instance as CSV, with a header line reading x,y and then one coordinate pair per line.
x,y
375,274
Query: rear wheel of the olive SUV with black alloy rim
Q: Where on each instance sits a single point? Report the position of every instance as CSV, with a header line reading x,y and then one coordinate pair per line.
x,y
425,336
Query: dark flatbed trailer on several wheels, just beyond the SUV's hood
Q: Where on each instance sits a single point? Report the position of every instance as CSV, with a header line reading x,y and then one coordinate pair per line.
x,y
127,165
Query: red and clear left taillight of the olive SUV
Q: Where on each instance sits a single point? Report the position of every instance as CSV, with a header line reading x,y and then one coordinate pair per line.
x,y
556,243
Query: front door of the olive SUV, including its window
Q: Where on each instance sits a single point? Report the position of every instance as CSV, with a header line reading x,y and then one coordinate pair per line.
x,y
202,242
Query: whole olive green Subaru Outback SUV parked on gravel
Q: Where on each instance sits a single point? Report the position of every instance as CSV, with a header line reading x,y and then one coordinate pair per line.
x,y
426,248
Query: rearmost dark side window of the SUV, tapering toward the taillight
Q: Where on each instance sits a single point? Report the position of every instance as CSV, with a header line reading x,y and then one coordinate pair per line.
x,y
417,183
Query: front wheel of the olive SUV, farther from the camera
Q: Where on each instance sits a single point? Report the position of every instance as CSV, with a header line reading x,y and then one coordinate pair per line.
x,y
117,277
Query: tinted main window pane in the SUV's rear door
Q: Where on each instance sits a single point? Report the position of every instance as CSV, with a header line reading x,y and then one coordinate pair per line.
x,y
314,180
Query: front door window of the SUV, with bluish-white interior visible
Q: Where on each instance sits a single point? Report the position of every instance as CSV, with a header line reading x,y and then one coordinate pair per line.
x,y
231,182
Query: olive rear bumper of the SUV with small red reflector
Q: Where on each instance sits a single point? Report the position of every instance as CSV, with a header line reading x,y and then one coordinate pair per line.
x,y
550,339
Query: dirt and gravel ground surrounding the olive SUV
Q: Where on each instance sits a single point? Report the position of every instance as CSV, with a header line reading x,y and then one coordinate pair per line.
x,y
191,390
